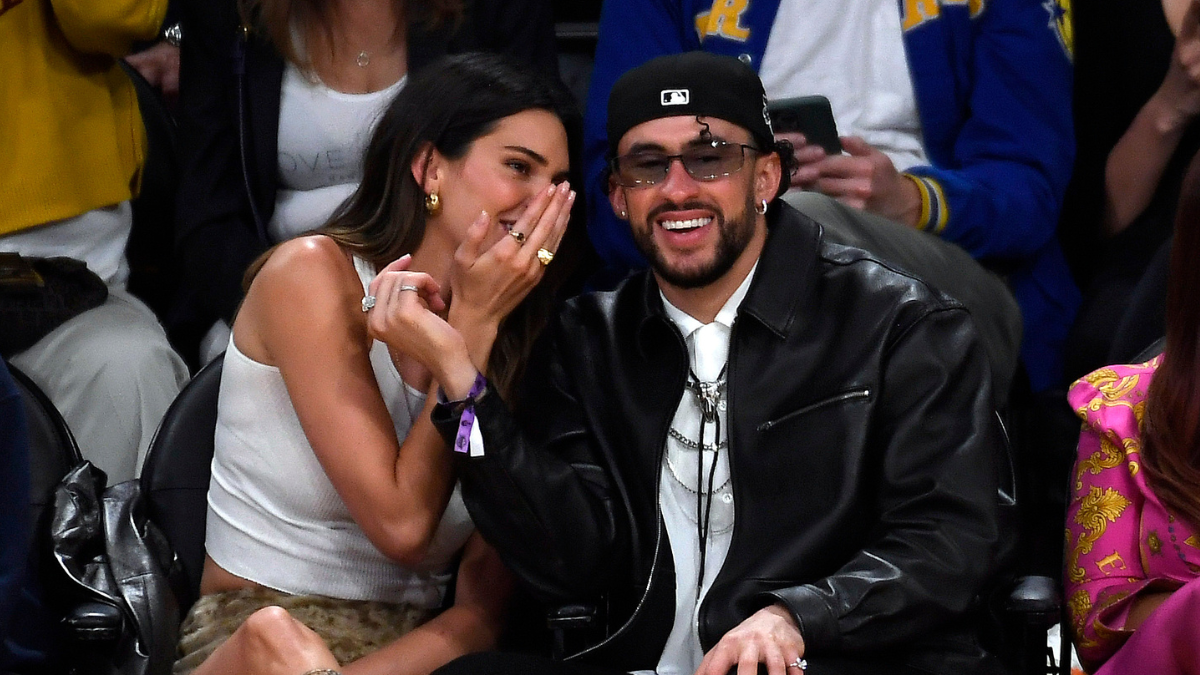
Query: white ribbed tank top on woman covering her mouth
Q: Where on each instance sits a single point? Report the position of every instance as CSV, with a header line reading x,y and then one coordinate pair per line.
x,y
274,517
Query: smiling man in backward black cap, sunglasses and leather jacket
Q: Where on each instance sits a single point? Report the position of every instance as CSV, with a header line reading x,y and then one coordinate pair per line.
x,y
767,450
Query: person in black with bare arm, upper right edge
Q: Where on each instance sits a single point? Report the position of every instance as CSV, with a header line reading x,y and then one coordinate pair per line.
x,y
1138,76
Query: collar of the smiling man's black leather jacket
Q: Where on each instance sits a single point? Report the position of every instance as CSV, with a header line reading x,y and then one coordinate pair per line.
x,y
784,279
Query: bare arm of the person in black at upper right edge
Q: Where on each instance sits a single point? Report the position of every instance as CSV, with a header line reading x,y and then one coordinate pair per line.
x,y
1137,163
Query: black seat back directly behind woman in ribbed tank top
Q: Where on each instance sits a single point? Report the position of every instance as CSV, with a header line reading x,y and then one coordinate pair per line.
x,y
176,476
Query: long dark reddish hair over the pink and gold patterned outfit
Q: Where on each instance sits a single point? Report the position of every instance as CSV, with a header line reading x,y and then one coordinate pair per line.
x,y
1171,452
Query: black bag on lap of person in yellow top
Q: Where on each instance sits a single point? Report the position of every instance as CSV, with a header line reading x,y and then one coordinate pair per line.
x,y
40,295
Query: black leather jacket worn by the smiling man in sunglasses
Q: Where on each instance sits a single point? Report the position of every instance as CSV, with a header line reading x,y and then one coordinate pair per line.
x,y
863,452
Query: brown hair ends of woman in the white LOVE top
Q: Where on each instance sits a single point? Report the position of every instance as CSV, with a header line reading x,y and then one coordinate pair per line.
x,y
279,19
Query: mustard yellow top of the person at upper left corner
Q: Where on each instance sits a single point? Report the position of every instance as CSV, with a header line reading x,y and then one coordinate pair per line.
x,y
71,136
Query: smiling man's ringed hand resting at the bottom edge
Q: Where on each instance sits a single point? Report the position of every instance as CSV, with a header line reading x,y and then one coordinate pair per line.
x,y
770,637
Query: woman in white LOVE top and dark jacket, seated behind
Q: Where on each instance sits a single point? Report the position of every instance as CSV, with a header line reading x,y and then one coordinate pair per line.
x,y
269,140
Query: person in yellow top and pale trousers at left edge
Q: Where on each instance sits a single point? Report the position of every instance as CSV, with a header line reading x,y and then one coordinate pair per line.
x,y
73,146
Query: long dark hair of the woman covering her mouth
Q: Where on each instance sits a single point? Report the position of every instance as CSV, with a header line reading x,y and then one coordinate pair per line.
x,y
447,105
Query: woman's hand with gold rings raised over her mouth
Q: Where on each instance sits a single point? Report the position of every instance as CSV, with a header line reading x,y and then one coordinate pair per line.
x,y
487,285
